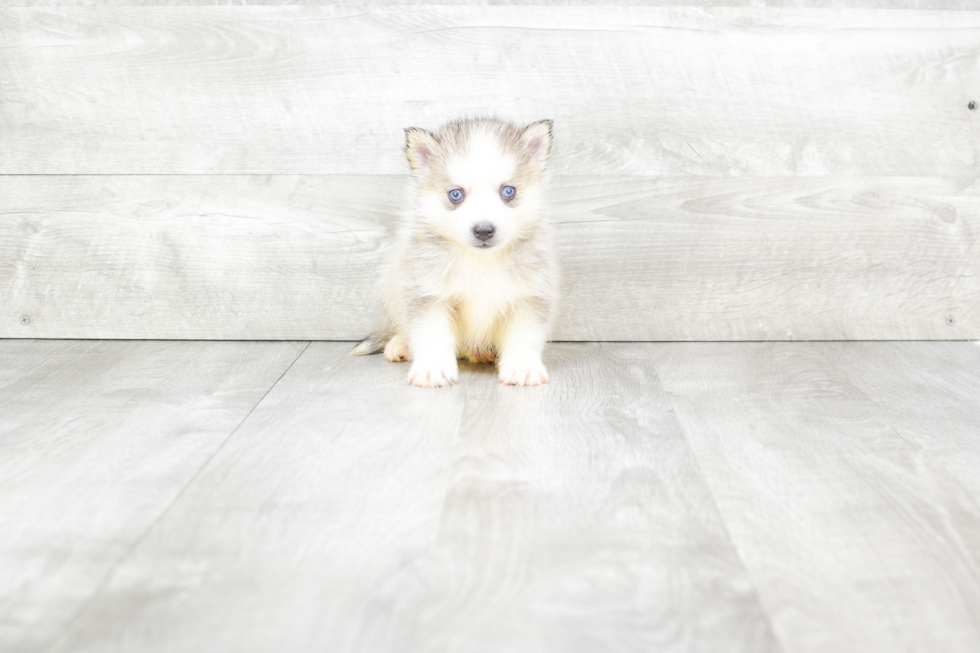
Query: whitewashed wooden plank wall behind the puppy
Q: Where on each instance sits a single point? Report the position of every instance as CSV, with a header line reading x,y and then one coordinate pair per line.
x,y
720,173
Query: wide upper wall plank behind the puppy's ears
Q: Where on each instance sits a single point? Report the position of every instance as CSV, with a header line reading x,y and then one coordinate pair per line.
x,y
632,90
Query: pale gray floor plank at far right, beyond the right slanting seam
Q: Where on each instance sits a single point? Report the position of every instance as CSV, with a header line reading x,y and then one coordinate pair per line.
x,y
857,536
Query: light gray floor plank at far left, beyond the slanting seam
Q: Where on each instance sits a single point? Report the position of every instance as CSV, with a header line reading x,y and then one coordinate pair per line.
x,y
96,441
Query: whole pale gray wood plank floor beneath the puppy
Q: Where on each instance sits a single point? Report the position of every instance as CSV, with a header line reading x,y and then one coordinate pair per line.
x,y
256,496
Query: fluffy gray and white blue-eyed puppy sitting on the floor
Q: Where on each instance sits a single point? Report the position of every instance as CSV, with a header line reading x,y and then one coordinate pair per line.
x,y
472,274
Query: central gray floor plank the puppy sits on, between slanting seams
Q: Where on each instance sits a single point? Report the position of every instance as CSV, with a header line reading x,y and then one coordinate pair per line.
x,y
352,512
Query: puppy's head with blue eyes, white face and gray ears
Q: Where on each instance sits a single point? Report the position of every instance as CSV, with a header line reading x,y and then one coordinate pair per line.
x,y
480,180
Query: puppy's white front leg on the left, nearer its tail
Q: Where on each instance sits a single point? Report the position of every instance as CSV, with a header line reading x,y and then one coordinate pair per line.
x,y
433,349
